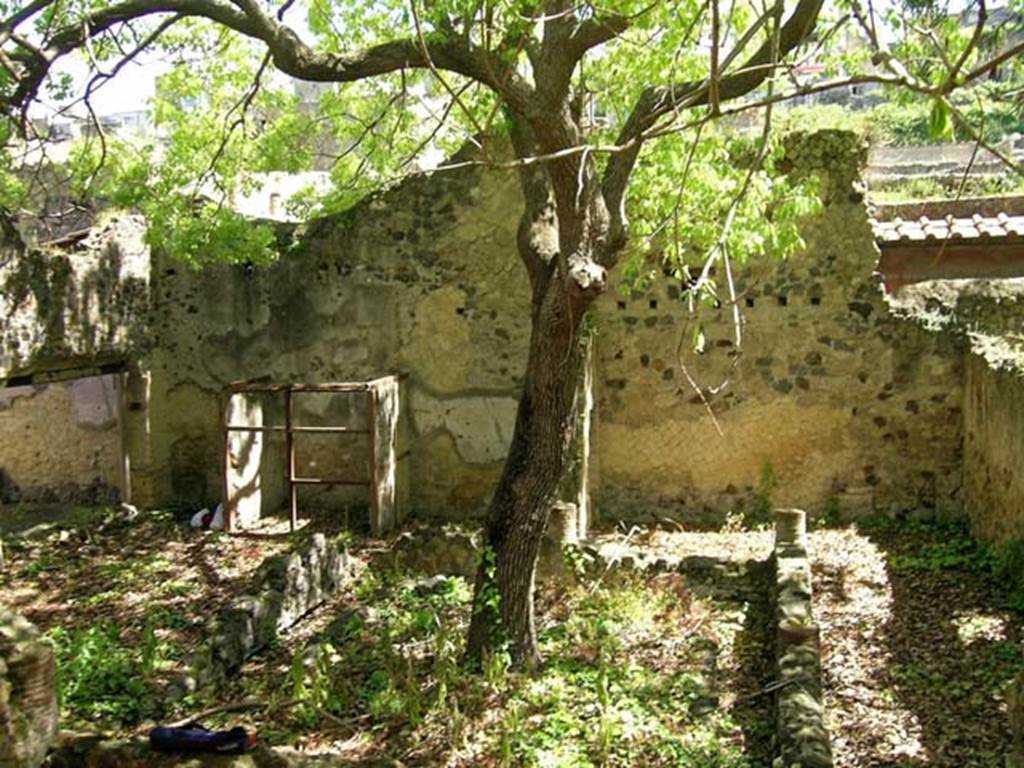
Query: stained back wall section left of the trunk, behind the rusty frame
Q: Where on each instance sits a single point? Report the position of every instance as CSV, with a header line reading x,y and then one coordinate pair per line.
x,y
423,280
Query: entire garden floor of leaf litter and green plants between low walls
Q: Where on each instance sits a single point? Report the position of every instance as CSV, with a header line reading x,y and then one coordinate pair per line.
x,y
919,645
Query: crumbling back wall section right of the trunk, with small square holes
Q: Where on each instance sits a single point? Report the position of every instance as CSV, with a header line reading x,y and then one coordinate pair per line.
x,y
848,406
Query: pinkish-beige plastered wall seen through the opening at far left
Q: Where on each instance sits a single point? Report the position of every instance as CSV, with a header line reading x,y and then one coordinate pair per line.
x,y
62,442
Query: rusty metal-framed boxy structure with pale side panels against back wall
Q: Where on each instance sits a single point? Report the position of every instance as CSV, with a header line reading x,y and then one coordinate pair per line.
x,y
315,447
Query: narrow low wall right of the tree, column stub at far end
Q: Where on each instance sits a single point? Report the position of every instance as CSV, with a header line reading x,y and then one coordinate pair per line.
x,y
802,737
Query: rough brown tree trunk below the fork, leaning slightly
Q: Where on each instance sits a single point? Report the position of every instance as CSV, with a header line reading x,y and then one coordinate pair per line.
x,y
503,607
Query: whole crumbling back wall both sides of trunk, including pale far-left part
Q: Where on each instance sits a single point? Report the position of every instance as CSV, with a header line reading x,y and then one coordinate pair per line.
x,y
833,392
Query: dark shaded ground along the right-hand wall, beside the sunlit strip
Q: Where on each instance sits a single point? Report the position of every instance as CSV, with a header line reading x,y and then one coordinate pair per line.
x,y
954,648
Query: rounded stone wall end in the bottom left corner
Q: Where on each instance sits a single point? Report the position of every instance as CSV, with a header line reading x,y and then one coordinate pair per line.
x,y
28,694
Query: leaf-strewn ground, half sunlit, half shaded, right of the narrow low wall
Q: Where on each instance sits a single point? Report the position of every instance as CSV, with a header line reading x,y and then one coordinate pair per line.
x,y
916,660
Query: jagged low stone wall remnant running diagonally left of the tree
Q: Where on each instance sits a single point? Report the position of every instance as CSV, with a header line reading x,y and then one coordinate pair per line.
x,y
288,587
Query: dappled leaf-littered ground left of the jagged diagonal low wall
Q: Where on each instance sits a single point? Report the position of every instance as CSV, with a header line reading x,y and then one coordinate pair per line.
x,y
149,585
